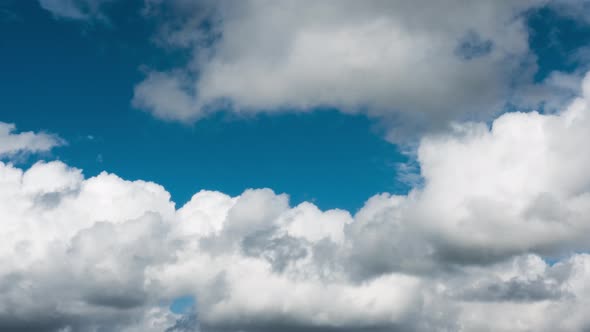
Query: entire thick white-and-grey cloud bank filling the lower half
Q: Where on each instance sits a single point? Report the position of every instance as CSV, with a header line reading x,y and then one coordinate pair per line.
x,y
462,253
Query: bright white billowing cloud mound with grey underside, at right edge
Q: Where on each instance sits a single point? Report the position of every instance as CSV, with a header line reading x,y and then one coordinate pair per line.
x,y
525,175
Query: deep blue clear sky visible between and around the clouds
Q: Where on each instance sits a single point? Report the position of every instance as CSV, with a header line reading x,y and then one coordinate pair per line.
x,y
76,79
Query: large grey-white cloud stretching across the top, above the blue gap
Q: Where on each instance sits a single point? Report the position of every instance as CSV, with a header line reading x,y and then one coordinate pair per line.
x,y
388,59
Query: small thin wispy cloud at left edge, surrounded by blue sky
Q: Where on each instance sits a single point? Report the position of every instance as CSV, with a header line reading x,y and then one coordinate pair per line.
x,y
12,143
